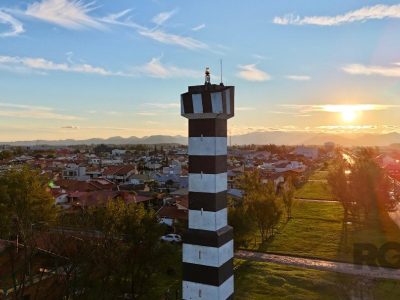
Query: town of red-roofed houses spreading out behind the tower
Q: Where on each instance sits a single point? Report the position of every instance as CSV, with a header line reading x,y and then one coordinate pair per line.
x,y
81,177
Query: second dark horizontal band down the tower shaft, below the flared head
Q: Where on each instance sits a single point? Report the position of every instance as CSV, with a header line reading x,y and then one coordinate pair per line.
x,y
208,164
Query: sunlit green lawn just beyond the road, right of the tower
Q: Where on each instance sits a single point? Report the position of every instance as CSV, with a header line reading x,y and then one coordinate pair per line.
x,y
316,230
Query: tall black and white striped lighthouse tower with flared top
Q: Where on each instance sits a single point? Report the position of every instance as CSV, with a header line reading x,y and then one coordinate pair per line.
x,y
208,243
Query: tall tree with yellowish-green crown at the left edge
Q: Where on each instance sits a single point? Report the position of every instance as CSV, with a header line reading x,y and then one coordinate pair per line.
x,y
26,208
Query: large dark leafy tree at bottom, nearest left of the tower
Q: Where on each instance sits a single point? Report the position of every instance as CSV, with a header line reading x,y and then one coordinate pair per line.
x,y
123,256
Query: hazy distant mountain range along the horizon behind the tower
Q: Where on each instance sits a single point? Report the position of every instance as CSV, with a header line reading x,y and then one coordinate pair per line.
x,y
258,138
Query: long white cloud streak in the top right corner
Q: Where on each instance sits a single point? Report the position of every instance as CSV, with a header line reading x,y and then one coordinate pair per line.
x,y
376,12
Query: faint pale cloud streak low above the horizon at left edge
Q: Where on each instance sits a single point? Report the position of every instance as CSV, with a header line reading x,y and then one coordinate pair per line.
x,y
32,112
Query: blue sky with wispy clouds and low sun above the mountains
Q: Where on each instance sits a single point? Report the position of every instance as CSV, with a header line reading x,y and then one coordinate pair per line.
x,y
83,69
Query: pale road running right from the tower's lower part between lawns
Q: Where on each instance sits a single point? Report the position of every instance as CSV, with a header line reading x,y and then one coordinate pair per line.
x,y
318,264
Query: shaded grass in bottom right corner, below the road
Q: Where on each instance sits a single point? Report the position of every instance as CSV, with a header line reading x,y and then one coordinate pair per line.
x,y
255,280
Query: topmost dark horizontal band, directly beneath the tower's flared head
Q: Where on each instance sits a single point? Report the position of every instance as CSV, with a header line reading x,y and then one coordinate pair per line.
x,y
207,127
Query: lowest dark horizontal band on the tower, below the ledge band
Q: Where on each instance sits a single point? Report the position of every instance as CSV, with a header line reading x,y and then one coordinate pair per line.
x,y
207,274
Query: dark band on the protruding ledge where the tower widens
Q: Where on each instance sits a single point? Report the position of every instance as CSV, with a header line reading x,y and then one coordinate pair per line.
x,y
208,238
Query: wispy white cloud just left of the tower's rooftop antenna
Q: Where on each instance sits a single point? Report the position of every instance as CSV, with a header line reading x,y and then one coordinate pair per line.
x,y
154,68
